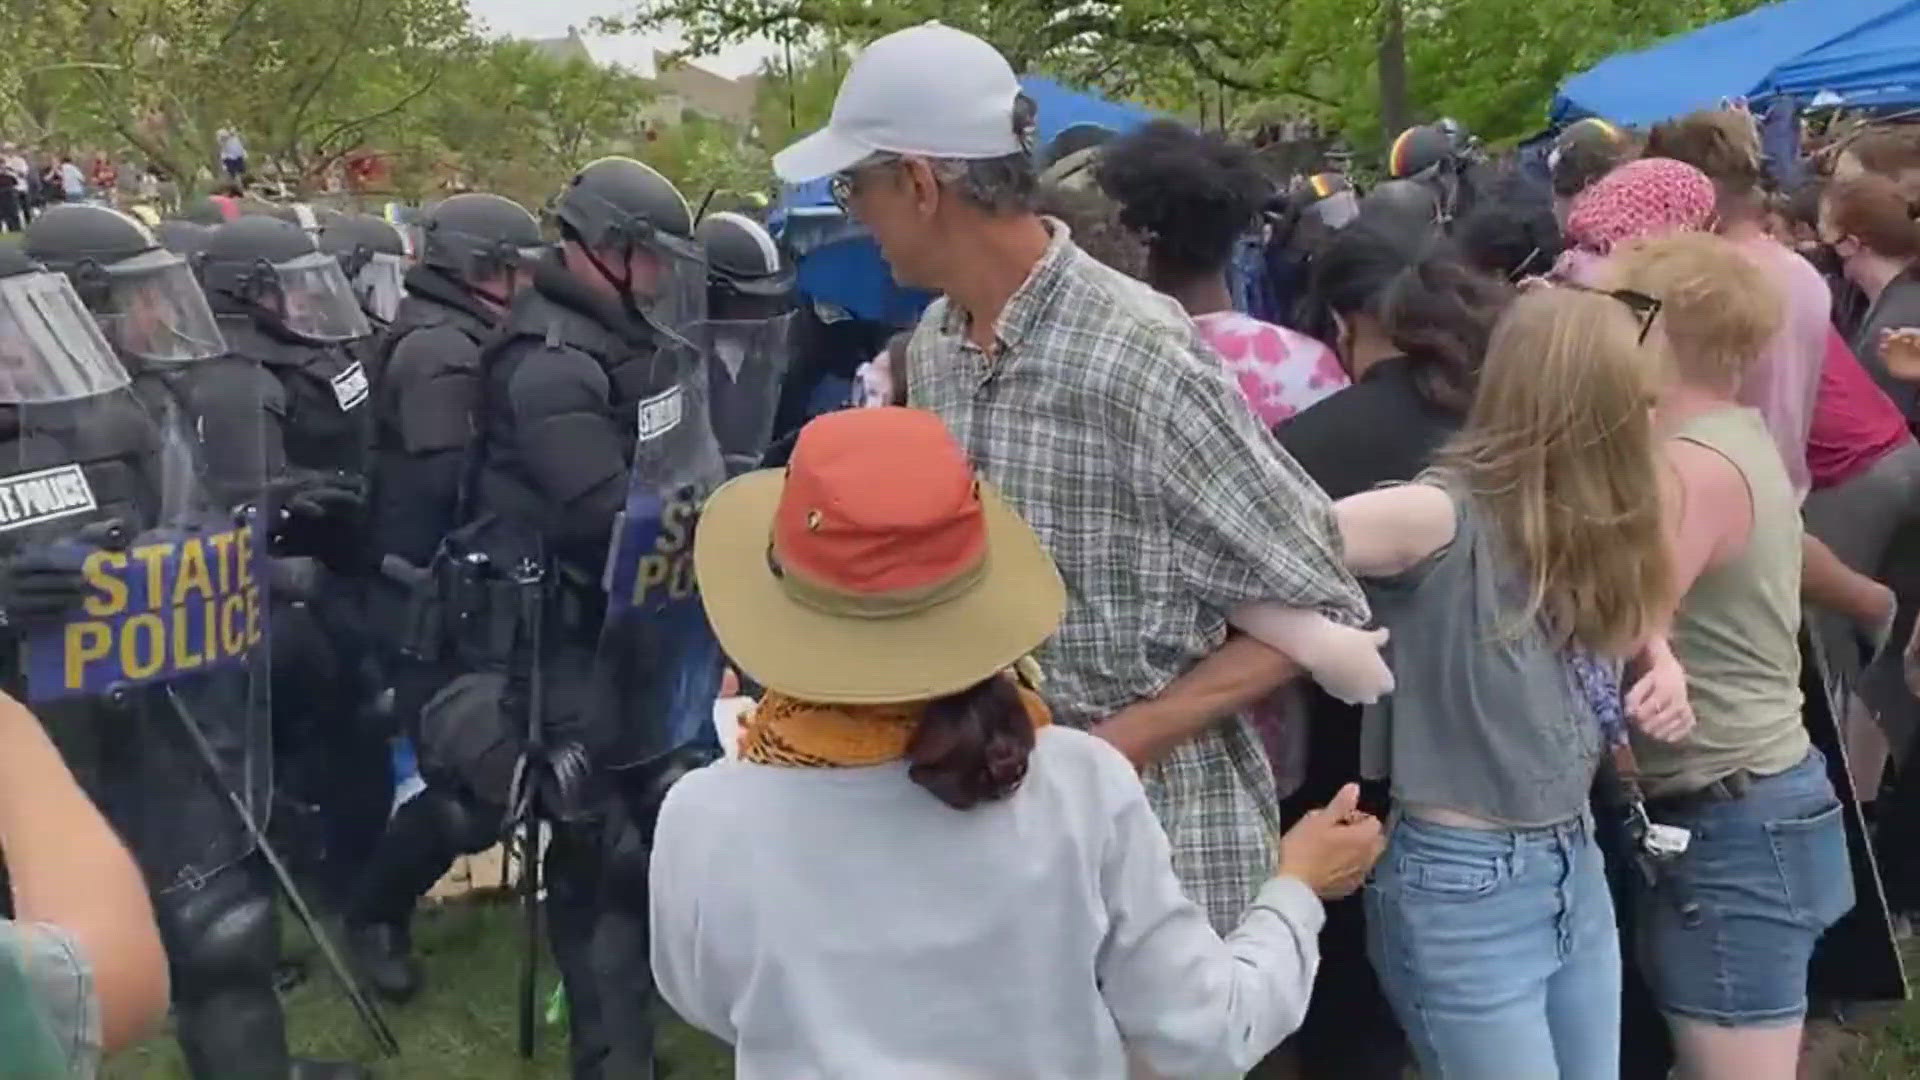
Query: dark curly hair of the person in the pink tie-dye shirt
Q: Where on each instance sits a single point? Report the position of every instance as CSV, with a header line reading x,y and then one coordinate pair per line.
x,y
1189,193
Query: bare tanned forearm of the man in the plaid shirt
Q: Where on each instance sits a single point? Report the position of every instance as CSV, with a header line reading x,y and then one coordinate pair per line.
x,y
1237,675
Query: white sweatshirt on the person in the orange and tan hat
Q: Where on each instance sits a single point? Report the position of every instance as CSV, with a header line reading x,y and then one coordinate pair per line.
x,y
844,923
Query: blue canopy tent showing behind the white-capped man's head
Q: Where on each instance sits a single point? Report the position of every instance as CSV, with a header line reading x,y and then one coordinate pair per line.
x,y
840,264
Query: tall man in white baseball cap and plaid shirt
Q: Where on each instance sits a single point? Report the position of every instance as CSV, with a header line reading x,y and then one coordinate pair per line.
x,y
1111,428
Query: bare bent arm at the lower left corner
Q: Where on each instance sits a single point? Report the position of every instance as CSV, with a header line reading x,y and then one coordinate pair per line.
x,y
72,871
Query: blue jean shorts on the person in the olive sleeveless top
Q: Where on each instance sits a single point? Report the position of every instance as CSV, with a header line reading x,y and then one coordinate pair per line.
x,y
1727,933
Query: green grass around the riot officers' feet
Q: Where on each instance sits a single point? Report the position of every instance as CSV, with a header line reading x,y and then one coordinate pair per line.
x,y
462,1027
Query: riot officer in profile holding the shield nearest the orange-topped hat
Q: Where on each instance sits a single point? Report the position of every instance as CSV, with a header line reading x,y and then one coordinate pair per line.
x,y
594,412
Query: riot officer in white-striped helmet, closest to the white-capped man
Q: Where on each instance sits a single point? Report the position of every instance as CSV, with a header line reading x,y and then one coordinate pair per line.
x,y
750,333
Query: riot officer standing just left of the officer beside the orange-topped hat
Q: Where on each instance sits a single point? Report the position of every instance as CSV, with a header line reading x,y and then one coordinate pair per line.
x,y
425,401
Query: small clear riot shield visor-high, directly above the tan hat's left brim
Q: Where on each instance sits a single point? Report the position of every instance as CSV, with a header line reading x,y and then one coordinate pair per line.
x,y
746,368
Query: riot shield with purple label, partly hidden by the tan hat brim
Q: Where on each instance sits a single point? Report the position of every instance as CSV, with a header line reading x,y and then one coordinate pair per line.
x,y
658,668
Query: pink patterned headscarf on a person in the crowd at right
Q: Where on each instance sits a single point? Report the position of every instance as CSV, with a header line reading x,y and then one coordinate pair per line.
x,y
1650,197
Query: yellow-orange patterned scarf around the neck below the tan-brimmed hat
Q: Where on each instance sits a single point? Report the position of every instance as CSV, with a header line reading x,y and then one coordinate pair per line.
x,y
782,731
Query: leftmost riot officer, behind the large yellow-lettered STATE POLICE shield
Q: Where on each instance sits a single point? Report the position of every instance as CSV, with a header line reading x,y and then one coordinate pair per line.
x,y
126,485
